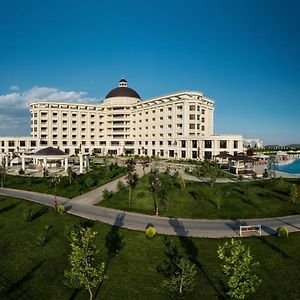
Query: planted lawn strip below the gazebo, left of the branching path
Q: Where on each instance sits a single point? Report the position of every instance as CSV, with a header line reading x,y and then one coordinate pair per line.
x,y
79,184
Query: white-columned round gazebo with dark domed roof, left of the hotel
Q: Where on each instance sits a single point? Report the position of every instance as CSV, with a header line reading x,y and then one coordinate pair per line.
x,y
45,156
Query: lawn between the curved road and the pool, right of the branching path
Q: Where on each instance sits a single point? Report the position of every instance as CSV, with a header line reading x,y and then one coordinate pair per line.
x,y
196,200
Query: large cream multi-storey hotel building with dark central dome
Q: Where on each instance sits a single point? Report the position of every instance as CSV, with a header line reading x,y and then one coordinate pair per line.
x,y
173,126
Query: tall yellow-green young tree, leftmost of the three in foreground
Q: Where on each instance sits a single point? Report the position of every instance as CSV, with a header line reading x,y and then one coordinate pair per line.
x,y
85,271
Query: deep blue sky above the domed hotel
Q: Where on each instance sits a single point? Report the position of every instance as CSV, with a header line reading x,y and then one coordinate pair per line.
x,y
245,55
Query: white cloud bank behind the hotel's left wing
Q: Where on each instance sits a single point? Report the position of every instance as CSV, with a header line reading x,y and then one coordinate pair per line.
x,y
14,106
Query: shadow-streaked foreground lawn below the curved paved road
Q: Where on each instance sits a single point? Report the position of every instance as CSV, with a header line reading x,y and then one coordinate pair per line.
x,y
33,272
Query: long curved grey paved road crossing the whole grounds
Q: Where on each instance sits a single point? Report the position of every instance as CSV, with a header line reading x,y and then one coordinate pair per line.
x,y
170,226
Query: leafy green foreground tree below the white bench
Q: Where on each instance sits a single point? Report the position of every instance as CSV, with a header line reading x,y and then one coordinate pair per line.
x,y
238,266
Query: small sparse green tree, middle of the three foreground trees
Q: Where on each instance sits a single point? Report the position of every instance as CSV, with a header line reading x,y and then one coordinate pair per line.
x,y
182,280
